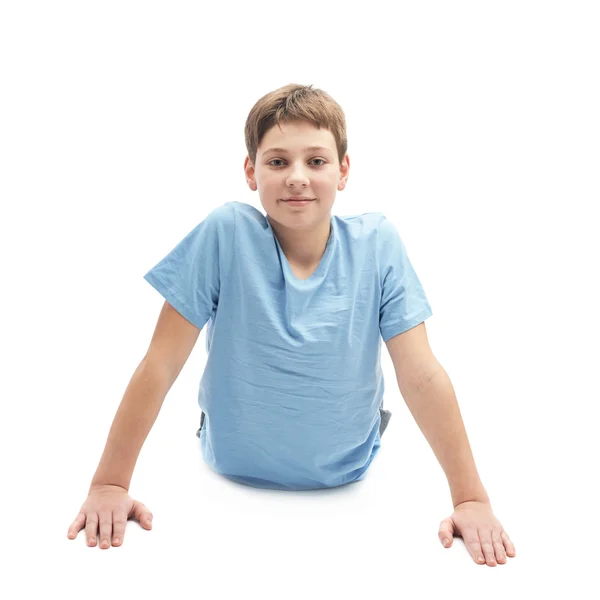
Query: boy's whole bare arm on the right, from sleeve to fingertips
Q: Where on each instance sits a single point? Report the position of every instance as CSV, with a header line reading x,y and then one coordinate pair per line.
x,y
429,395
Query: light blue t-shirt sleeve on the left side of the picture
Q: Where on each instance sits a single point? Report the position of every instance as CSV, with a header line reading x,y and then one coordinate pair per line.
x,y
190,276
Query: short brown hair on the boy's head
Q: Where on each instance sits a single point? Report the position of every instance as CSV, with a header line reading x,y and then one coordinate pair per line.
x,y
294,102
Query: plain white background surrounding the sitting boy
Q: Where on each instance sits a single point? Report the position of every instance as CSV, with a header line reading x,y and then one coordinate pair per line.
x,y
474,126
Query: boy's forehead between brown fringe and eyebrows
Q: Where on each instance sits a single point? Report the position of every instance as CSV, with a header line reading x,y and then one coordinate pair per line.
x,y
297,137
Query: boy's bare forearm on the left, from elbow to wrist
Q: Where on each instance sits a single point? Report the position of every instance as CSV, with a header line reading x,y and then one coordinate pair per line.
x,y
133,421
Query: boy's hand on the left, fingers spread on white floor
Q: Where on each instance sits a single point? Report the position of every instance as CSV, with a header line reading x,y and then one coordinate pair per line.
x,y
108,507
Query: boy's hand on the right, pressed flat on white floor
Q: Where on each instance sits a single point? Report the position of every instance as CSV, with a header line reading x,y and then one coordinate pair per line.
x,y
481,531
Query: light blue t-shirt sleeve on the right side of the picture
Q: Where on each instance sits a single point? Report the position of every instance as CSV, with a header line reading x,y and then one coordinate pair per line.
x,y
403,303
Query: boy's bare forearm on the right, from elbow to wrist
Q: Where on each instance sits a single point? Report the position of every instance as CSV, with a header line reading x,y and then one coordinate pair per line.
x,y
436,412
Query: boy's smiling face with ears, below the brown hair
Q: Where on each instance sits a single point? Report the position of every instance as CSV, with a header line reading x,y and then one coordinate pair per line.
x,y
294,171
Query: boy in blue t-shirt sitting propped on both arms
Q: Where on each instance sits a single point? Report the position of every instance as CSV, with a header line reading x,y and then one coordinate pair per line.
x,y
297,303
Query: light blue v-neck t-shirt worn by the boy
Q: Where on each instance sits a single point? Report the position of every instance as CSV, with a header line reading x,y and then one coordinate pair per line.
x,y
293,384
